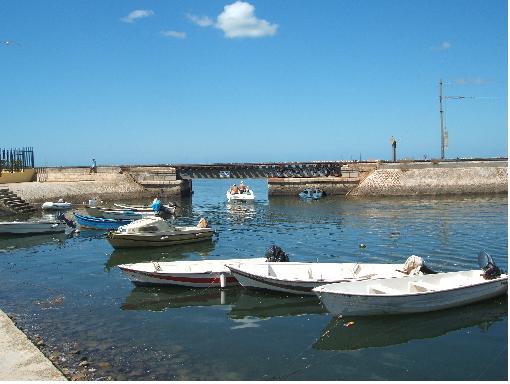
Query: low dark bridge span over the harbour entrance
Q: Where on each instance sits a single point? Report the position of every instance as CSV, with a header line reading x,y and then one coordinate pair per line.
x,y
258,170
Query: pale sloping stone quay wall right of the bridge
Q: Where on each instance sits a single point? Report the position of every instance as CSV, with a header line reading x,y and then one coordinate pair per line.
x,y
434,178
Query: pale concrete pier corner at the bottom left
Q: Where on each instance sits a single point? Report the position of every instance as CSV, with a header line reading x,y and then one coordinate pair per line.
x,y
20,359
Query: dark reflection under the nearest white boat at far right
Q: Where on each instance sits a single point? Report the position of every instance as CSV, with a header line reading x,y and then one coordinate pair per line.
x,y
380,331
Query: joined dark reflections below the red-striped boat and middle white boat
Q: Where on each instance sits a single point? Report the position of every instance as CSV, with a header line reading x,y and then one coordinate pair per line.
x,y
243,303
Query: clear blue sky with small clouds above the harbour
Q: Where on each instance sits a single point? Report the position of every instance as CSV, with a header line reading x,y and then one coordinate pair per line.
x,y
147,82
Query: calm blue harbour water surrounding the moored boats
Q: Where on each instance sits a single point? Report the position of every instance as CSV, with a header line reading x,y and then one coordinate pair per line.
x,y
70,292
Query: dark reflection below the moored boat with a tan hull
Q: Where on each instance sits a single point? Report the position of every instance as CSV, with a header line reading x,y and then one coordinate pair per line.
x,y
170,253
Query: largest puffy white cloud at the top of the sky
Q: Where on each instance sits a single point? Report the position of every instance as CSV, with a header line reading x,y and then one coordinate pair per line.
x,y
239,20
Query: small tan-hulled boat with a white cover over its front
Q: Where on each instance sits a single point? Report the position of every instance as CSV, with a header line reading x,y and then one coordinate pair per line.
x,y
157,232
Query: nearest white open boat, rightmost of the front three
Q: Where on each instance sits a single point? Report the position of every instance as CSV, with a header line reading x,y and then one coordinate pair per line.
x,y
413,294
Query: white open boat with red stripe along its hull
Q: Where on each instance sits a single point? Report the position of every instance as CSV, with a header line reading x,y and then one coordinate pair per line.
x,y
198,274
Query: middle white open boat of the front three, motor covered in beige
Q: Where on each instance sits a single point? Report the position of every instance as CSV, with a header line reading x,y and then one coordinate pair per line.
x,y
301,278
